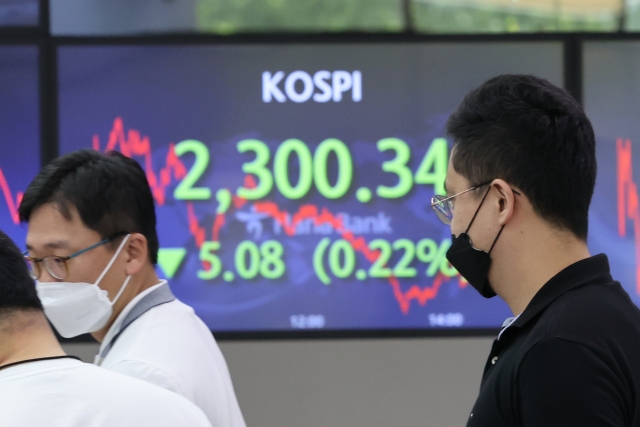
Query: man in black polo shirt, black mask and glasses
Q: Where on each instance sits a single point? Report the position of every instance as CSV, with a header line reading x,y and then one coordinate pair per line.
x,y
521,176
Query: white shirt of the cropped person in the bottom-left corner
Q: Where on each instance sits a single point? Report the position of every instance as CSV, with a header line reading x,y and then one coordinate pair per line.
x,y
69,393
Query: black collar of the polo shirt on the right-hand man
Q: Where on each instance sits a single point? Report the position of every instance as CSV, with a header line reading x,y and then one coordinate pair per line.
x,y
588,270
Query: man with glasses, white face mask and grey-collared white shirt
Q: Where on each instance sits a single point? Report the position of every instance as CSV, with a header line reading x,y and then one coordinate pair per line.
x,y
93,246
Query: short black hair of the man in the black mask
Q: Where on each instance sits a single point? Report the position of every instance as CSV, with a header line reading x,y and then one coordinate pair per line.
x,y
535,136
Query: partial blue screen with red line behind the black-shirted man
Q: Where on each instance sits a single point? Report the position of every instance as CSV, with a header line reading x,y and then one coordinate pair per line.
x,y
612,102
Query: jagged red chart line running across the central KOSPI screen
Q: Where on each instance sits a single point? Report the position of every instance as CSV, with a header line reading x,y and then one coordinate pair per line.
x,y
132,144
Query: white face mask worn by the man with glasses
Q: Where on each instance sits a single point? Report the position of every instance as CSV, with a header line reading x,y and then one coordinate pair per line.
x,y
78,308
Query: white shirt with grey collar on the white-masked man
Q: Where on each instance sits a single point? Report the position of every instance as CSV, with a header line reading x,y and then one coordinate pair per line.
x,y
171,347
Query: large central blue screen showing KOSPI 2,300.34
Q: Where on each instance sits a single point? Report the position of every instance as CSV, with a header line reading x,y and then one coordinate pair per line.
x,y
292,182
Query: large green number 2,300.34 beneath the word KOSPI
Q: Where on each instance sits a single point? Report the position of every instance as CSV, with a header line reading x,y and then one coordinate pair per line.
x,y
432,169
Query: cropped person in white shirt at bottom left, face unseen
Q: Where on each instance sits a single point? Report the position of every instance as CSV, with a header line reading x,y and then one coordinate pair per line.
x,y
41,386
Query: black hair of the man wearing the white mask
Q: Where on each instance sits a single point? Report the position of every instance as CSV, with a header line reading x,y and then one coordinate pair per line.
x,y
110,192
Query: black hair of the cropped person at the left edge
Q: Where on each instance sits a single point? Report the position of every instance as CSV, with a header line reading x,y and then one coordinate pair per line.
x,y
17,289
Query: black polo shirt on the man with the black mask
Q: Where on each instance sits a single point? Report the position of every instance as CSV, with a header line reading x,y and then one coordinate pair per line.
x,y
572,358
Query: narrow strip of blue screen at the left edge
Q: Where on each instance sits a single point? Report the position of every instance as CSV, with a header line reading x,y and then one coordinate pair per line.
x,y
20,132
